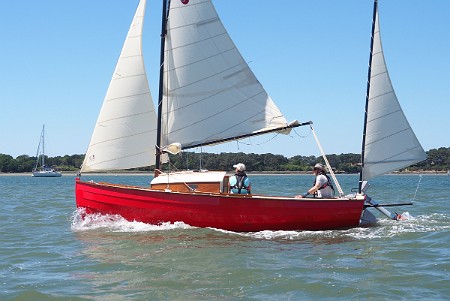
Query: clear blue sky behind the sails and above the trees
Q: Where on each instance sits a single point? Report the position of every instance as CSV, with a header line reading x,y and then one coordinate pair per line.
x,y
57,59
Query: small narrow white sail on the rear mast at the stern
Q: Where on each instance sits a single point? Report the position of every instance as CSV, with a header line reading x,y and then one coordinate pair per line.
x,y
390,142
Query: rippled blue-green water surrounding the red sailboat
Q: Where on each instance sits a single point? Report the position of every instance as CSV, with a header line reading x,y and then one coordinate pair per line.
x,y
48,253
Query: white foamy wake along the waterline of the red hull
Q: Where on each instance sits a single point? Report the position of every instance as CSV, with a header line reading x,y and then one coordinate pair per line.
x,y
382,229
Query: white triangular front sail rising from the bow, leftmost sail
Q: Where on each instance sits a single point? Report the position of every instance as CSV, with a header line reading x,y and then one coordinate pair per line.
x,y
125,132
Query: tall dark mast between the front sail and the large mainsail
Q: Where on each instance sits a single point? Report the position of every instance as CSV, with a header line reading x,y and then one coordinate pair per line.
x,y
161,81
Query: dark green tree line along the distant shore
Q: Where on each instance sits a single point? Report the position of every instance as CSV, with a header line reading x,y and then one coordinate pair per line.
x,y
437,160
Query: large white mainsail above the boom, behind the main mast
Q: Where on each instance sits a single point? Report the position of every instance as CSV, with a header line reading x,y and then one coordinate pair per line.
x,y
210,93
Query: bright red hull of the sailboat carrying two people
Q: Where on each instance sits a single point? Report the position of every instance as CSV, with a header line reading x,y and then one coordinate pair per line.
x,y
222,211
